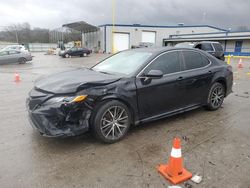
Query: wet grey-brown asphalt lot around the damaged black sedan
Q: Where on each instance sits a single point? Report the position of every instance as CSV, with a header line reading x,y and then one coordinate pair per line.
x,y
215,144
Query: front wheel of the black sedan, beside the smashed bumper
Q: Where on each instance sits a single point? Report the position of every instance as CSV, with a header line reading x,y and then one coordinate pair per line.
x,y
111,122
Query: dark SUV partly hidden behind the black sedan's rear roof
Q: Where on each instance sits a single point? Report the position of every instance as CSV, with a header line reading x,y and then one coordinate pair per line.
x,y
213,48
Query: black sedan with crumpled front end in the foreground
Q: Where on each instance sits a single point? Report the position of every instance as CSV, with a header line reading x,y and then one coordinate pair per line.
x,y
128,88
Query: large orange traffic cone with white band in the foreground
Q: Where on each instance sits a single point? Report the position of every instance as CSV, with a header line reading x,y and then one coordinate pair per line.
x,y
174,171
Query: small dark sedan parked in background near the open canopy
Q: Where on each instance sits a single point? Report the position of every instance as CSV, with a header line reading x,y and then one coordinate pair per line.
x,y
75,51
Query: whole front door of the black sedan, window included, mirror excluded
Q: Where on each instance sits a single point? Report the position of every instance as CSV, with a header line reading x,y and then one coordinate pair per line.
x,y
160,95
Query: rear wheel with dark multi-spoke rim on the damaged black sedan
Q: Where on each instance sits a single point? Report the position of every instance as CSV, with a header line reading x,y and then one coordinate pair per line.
x,y
216,96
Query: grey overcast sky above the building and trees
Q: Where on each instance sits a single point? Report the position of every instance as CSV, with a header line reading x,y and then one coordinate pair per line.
x,y
52,14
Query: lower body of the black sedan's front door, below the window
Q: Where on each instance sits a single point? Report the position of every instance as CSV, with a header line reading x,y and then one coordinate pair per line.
x,y
157,96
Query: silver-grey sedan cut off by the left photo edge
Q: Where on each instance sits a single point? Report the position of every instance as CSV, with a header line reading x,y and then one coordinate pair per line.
x,y
14,56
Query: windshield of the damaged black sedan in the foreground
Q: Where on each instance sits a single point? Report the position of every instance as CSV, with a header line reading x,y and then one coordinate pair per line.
x,y
127,62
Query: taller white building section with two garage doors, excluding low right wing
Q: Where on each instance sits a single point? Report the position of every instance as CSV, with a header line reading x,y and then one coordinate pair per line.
x,y
126,36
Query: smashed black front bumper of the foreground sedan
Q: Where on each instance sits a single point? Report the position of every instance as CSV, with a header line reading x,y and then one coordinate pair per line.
x,y
59,119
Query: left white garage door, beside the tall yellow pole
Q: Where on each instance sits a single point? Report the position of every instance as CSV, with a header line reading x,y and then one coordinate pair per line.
x,y
121,41
